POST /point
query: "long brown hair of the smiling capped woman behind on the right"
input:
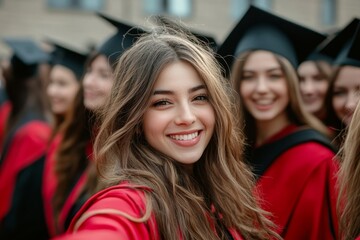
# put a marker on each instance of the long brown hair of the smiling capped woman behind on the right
(295, 110)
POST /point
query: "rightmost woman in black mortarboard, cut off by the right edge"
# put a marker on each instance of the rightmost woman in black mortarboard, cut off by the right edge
(344, 89)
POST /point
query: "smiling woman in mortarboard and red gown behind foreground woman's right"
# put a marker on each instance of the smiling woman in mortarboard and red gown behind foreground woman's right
(288, 148)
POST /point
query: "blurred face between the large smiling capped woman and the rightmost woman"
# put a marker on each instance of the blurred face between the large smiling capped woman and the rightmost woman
(313, 86)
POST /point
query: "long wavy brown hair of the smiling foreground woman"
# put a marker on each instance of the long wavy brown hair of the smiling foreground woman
(179, 201)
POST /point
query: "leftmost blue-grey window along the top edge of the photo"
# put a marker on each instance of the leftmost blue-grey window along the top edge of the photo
(87, 5)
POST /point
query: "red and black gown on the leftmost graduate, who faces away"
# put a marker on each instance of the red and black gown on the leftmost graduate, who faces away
(20, 180)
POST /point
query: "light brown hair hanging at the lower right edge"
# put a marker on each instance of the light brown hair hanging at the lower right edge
(349, 181)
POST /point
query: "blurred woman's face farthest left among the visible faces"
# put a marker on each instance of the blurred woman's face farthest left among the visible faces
(62, 89)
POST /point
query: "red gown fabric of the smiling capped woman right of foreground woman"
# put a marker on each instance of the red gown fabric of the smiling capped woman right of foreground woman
(299, 190)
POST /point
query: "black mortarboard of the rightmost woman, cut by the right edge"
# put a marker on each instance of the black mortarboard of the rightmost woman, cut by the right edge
(344, 47)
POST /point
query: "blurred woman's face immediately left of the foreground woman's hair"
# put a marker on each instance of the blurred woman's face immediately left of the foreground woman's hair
(97, 83)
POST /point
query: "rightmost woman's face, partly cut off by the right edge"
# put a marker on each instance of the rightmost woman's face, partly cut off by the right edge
(346, 93)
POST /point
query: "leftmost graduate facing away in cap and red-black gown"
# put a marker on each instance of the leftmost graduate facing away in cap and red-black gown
(24, 144)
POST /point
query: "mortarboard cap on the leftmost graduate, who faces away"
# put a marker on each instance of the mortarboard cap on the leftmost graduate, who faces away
(26, 57)
